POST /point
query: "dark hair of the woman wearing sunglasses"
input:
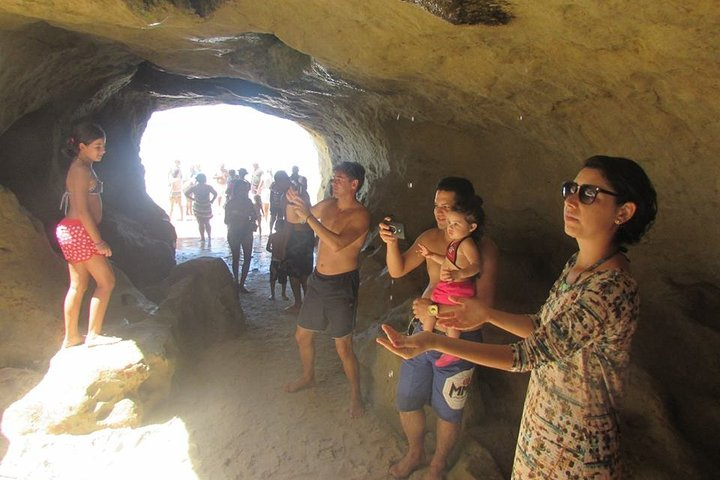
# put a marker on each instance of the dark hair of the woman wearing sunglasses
(630, 182)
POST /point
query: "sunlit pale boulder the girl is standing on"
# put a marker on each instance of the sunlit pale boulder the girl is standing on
(90, 388)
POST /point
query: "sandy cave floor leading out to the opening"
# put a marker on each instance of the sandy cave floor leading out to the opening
(241, 422)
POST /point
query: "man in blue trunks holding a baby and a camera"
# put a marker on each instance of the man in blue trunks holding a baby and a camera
(420, 381)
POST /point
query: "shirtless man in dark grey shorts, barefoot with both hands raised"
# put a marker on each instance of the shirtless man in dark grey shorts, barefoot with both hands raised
(341, 223)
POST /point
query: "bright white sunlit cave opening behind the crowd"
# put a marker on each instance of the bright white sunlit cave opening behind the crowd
(214, 140)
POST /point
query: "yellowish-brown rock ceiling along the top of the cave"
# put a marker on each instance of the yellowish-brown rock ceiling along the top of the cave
(433, 60)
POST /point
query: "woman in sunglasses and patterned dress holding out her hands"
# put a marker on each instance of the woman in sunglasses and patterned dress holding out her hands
(578, 345)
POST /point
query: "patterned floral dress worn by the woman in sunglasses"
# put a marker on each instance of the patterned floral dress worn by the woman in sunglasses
(578, 355)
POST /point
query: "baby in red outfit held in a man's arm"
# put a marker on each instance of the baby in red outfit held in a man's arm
(462, 261)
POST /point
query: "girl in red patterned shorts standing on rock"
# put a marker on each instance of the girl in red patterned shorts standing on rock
(79, 237)
